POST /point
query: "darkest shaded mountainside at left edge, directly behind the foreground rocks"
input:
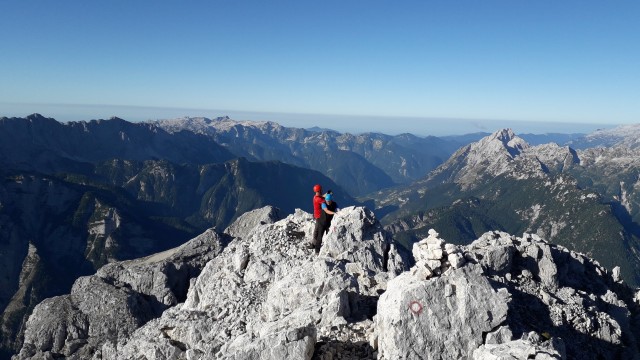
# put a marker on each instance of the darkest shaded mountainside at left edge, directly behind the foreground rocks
(53, 231)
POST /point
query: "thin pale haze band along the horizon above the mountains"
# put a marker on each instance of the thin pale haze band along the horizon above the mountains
(353, 124)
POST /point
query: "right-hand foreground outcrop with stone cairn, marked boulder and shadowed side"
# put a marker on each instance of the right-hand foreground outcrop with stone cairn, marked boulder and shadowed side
(504, 297)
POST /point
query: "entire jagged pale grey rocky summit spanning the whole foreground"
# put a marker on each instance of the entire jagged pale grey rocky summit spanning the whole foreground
(256, 292)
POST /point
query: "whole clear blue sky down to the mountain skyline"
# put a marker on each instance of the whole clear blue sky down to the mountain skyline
(390, 66)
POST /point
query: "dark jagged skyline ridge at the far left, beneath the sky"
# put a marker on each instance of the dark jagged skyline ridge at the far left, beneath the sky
(42, 144)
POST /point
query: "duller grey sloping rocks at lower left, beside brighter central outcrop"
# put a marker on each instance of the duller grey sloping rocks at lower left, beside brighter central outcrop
(116, 301)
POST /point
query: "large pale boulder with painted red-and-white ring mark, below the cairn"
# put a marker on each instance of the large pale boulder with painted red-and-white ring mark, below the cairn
(415, 320)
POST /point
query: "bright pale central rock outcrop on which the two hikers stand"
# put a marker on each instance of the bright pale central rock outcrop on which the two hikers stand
(267, 296)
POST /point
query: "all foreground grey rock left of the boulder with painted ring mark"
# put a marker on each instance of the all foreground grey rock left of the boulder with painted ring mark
(265, 296)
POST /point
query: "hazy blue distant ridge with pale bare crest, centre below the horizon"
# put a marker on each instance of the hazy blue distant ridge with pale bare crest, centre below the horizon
(359, 163)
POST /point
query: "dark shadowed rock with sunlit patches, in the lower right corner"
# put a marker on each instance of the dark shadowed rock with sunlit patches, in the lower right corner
(586, 308)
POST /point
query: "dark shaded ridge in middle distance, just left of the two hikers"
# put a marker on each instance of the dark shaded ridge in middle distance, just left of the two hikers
(216, 194)
